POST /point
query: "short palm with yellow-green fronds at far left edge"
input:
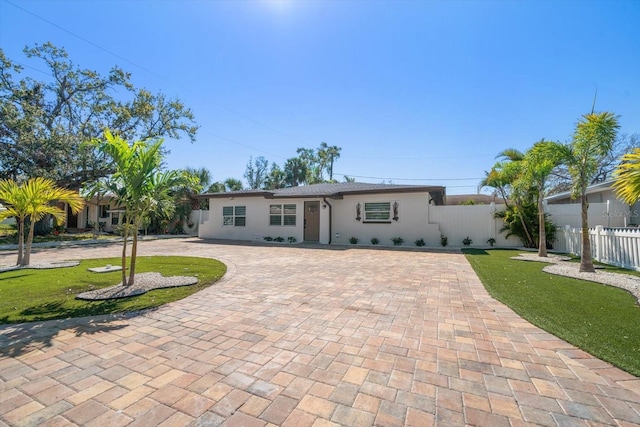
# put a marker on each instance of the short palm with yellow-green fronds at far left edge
(34, 200)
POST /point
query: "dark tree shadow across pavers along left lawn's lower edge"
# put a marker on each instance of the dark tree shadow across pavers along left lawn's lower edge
(20, 338)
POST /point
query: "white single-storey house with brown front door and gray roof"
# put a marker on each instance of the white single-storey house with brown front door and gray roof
(324, 213)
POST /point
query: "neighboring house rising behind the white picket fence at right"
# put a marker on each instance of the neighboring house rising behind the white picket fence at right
(604, 208)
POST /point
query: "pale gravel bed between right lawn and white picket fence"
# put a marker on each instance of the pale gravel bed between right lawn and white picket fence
(572, 269)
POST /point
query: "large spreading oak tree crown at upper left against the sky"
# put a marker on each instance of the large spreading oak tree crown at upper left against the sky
(43, 122)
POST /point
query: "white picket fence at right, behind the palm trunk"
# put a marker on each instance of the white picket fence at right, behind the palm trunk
(615, 246)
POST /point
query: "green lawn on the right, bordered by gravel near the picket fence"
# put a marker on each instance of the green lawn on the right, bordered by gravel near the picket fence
(602, 320)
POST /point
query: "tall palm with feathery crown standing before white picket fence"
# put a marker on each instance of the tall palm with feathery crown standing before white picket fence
(592, 140)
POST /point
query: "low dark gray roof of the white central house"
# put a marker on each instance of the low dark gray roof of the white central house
(334, 191)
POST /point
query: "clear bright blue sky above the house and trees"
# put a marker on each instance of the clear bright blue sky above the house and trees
(416, 92)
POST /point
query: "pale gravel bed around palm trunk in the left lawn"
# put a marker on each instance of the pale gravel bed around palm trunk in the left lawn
(143, 283)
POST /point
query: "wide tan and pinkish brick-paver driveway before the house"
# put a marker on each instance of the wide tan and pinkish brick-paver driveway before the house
(304, 336)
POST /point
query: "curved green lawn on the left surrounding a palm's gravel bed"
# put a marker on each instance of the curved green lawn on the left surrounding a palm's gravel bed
(29, 295)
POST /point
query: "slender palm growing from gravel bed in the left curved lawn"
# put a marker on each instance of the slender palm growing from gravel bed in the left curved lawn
(139, 186)
